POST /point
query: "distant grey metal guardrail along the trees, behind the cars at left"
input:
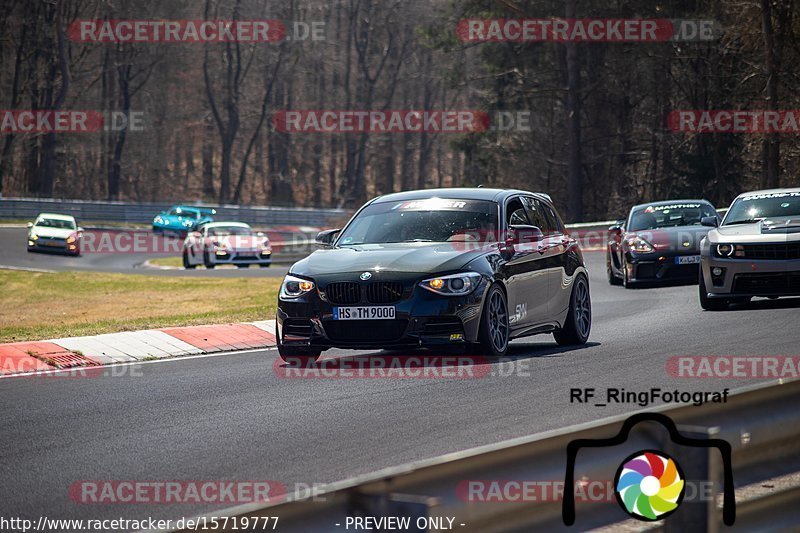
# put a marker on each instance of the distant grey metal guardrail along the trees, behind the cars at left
(143, 213)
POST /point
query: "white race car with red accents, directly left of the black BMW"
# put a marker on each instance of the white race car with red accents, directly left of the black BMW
(226, 243)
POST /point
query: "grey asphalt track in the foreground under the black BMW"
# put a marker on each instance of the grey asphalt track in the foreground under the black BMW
(232, 418)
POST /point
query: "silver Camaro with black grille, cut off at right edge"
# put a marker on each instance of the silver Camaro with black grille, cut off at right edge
(755, 251)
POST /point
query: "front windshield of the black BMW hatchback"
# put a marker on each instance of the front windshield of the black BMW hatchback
(427, 220)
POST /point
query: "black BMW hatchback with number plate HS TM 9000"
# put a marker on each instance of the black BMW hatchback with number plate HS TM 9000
(454, 269)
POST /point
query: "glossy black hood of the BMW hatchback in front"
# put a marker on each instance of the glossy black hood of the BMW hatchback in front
(394, 257)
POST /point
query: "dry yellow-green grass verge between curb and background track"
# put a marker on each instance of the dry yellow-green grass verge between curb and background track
(35, 306)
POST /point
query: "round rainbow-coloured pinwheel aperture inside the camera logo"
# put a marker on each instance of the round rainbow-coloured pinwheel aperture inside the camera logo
(649, 485)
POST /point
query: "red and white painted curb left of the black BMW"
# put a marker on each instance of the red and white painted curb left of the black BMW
(132, 346)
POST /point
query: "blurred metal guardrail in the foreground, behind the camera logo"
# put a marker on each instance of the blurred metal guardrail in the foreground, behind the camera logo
(761, 423)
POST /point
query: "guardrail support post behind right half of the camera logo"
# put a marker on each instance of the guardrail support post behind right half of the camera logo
(703, 466)
